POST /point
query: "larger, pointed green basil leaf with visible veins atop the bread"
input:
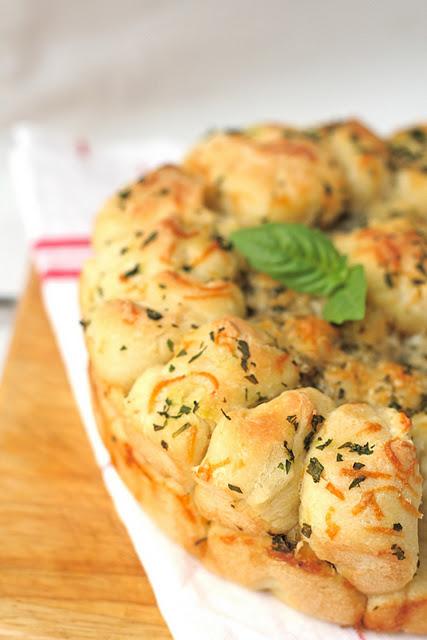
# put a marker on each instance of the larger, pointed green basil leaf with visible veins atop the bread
(303, 259)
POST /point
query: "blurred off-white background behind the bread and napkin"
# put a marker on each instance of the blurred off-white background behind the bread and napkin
(148, 68)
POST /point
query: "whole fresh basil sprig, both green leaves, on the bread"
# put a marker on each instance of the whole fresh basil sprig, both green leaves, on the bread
(305, 260)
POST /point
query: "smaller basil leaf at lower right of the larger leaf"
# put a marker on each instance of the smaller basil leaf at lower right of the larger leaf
(349, 301)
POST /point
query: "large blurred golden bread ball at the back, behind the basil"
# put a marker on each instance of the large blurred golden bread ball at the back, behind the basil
(282, 176)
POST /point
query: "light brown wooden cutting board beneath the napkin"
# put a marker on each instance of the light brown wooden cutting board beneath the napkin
(67, 567)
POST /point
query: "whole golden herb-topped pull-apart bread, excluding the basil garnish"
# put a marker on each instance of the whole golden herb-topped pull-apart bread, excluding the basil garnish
(286, 452)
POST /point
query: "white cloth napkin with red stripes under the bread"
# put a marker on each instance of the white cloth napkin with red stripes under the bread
(59, 185)
